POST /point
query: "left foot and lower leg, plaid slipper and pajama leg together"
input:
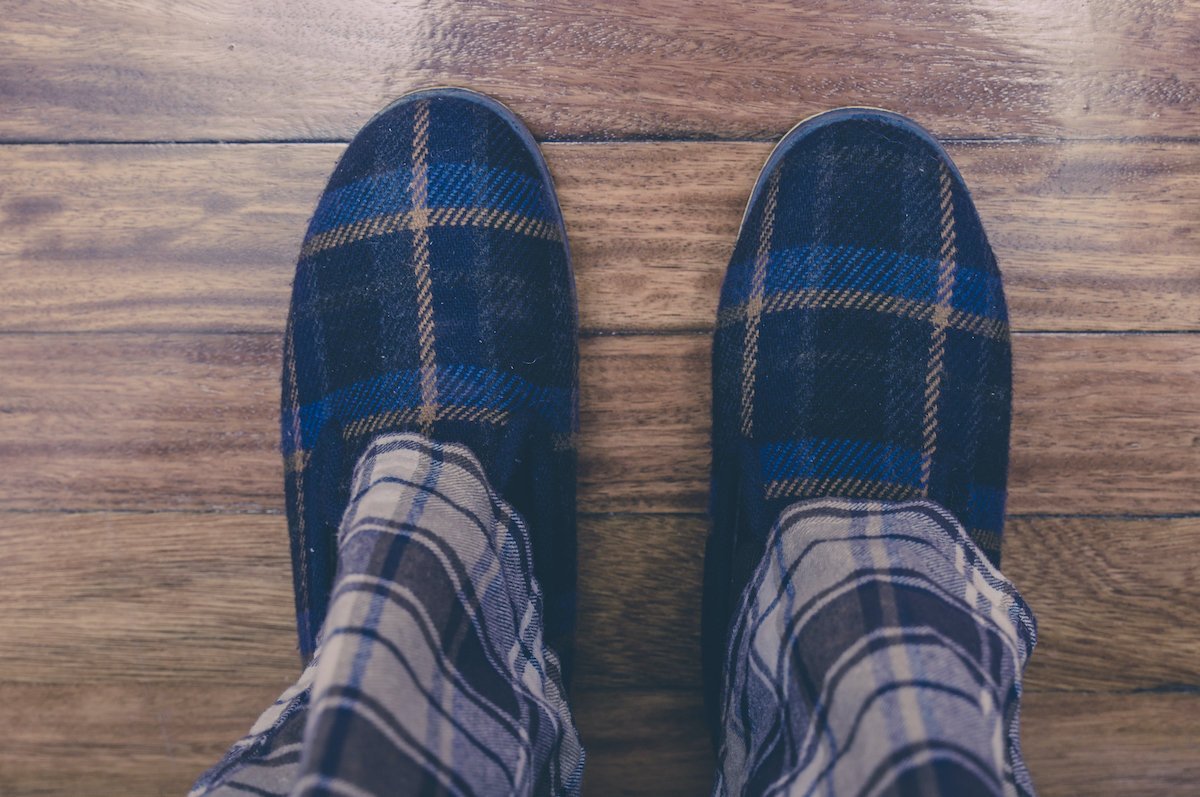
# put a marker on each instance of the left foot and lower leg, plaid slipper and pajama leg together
(434, 296)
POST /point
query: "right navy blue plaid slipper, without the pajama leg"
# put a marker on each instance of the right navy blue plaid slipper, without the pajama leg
(862, 347)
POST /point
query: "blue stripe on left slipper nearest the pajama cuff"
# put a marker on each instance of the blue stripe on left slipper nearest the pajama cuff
(460, 386)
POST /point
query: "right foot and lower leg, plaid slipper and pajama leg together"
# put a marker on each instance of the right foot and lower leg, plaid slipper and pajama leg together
(863, 355)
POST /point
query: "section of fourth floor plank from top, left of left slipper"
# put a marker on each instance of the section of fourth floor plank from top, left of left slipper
(101, 598)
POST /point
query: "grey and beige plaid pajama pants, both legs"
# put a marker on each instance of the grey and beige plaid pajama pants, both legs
(875, 652)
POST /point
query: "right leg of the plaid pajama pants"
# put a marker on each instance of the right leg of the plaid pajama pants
(877, 651)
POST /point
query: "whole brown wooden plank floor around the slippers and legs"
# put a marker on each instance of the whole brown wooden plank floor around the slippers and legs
(159, 163)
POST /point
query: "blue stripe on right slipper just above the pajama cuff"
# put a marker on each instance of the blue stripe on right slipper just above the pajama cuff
(839, 459)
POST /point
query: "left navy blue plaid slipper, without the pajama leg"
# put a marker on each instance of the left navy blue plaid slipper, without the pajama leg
(435, 295)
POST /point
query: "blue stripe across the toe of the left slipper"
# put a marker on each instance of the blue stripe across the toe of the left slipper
(451, 185)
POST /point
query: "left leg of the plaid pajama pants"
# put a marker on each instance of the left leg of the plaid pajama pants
(431, 674)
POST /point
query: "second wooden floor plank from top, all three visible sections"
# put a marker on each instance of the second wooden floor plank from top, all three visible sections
(205, 238)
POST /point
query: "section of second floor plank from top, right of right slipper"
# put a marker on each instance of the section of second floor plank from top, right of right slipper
(1089, 236)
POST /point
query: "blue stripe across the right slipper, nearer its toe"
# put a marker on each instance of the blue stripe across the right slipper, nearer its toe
(871, 271)
